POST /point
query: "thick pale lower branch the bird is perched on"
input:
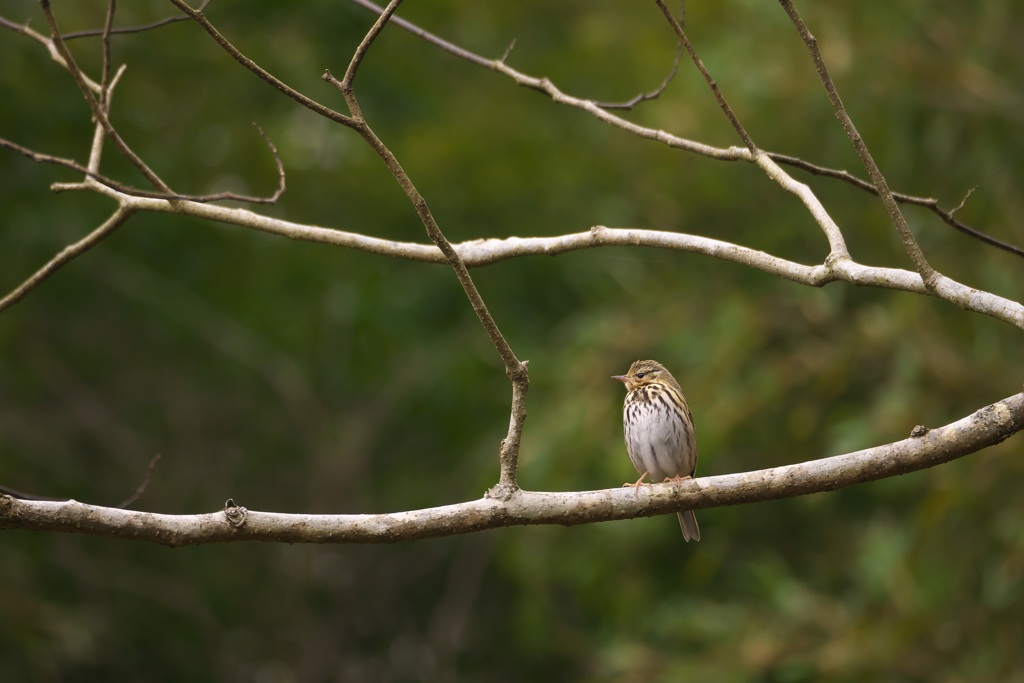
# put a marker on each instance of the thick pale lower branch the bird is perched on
(987, 428)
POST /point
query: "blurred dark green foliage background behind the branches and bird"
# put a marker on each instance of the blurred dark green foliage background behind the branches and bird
(306, 378)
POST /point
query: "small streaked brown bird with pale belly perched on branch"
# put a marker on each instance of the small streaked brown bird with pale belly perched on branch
(660, 435)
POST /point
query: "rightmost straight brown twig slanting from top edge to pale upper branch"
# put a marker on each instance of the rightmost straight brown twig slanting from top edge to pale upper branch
(910, 244)
